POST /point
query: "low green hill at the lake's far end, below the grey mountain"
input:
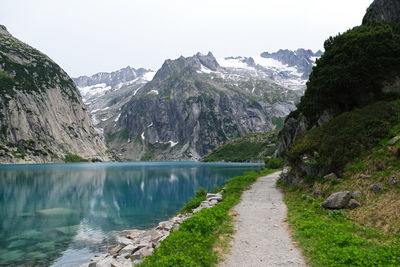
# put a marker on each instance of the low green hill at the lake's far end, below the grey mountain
(252, 147)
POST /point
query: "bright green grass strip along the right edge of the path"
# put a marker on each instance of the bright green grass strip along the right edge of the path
(330, 238)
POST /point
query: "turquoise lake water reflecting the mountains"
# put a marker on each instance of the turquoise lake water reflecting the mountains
(62, 214)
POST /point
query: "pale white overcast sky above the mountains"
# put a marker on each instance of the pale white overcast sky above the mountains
(89, 36)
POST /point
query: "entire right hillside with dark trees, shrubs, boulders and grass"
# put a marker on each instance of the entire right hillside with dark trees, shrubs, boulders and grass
(342, 151)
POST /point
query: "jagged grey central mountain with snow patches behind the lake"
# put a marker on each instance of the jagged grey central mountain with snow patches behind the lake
(194, 104)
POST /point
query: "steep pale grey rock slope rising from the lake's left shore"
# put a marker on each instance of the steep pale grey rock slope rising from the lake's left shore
(42, 116)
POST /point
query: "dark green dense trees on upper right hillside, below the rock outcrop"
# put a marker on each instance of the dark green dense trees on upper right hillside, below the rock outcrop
(352, 70)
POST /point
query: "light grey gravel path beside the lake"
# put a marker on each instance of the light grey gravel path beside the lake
(261, 237)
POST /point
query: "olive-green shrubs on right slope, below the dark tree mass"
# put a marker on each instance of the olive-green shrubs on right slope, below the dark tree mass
(346, 137)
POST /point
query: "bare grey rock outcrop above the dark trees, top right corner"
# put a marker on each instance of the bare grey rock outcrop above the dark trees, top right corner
(383, 10)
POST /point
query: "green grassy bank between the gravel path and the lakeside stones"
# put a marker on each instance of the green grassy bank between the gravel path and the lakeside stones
(193, 244)
